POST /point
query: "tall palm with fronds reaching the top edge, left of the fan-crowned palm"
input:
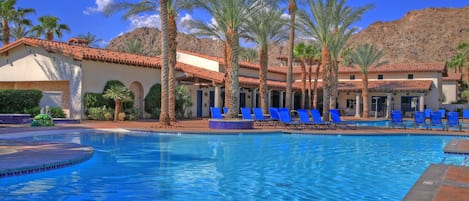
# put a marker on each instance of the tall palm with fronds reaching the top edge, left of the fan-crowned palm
(327, 24)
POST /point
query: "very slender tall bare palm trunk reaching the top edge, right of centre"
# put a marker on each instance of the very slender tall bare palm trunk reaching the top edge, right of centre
(288, 94)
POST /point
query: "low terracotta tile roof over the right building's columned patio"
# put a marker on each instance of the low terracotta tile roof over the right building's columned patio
(383, 86)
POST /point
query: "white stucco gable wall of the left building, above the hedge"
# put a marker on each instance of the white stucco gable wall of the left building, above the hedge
(26, 64)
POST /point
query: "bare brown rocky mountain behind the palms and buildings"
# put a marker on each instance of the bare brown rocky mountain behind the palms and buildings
(428, 35)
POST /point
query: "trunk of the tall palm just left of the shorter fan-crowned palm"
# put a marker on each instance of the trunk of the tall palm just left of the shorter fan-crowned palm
(325, 82)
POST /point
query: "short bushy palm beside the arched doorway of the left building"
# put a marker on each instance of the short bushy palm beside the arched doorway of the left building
(119, 94)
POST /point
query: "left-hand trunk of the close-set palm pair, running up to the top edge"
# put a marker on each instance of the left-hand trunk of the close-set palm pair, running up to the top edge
(164, 117)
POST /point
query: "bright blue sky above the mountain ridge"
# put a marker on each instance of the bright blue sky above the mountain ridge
(85, 15)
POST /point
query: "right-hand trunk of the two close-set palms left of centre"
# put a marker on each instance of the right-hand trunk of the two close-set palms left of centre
(172, 34)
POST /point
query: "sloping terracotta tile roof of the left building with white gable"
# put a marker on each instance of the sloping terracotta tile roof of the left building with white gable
(79, 52)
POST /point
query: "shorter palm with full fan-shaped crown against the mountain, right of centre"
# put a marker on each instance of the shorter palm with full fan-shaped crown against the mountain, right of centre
(364, 56)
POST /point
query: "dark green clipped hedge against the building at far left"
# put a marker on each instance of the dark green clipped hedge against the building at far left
(19, 101)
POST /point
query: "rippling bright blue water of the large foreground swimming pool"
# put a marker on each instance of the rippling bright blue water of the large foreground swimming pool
(234, 167)
